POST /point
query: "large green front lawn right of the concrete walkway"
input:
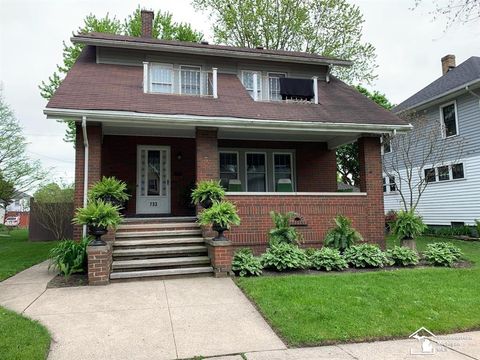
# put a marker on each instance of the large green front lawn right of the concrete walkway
(310, 310)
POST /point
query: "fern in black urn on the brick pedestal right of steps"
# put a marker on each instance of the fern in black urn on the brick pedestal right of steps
(221, 216)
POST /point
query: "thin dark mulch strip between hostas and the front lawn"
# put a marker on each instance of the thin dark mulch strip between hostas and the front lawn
(421, 265)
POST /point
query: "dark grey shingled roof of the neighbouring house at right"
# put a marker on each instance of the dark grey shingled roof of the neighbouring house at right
(465, 73)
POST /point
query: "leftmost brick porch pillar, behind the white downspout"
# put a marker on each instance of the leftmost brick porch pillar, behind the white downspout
(94, 134)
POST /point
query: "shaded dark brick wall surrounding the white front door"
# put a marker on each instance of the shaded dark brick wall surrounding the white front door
(119, 159)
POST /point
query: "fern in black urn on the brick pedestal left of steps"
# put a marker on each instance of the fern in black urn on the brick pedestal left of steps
(98, 216)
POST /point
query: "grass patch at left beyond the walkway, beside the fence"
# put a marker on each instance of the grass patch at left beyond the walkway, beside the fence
(17, 253)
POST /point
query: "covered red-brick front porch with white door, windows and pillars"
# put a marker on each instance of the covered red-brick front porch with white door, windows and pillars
(255, 166)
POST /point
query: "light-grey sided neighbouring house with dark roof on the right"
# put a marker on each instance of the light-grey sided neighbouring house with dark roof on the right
(451, 105)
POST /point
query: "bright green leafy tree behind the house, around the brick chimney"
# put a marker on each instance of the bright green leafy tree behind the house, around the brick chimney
(164, 27)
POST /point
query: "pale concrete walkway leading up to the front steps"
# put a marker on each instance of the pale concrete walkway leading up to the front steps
(157, 319)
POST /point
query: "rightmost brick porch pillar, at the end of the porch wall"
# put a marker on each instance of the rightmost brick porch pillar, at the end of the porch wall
(371, 182)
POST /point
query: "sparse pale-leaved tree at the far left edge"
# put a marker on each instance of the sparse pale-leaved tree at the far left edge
(17, 172)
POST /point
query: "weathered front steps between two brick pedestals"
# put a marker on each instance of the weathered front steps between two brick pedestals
(159, 248)
